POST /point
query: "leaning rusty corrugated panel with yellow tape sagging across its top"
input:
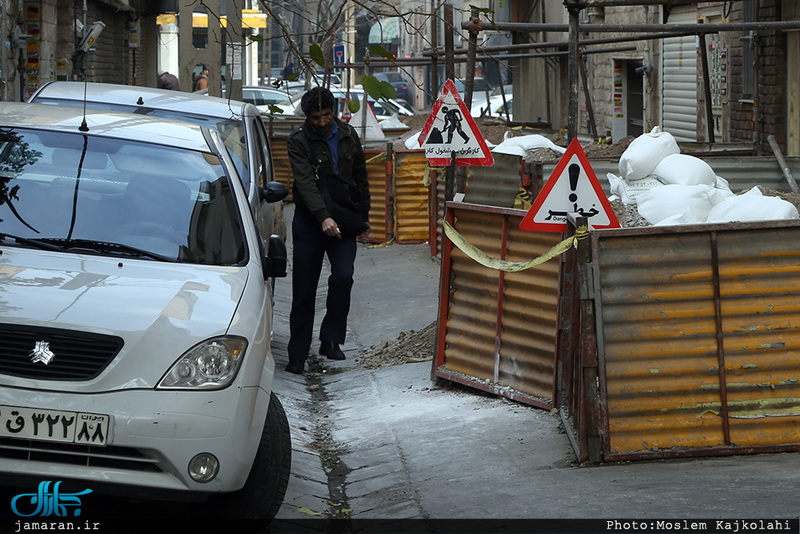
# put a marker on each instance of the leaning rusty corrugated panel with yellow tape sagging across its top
(500, 328)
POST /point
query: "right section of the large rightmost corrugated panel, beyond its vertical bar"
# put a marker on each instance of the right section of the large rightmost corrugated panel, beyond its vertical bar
(760, 304)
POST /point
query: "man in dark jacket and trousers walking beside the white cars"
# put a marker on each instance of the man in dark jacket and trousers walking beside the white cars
(323, 144)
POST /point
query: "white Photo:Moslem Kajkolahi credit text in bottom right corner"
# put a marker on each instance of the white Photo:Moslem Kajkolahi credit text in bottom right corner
(733, 526)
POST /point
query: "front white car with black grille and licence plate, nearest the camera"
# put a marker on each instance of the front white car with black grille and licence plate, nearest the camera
(136, 313)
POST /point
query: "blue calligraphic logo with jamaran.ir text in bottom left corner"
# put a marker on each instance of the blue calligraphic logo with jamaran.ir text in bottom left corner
(48, 508)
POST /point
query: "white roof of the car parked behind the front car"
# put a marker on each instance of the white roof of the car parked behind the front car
(132, 95)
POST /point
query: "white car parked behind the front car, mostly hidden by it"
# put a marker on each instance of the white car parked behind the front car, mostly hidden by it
(239, 123)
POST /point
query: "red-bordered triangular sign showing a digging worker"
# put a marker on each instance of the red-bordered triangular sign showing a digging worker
(452, 130)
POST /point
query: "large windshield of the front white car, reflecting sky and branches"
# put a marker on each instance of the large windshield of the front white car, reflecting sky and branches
(94, 195)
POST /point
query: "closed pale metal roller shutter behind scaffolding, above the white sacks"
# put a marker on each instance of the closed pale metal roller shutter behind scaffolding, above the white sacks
(679, 79)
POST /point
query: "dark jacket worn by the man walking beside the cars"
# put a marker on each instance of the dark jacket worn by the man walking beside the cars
(352, 166)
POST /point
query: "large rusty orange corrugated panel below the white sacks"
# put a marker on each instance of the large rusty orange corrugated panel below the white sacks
(700, 337)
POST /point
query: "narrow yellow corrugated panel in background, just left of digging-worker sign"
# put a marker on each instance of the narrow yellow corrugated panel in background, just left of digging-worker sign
(411, 197)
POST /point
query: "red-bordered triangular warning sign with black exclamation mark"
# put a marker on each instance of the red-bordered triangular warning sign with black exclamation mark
(572, 188)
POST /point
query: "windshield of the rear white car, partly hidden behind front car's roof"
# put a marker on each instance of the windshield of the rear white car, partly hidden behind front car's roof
(231, 130)
